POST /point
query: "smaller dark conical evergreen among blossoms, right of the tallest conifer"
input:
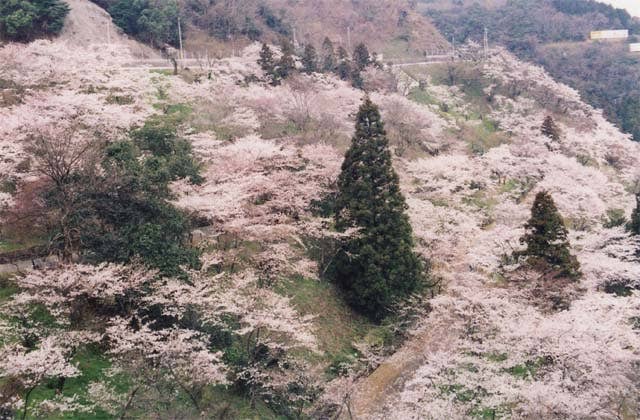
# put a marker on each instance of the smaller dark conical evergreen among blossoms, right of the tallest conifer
(546, 239)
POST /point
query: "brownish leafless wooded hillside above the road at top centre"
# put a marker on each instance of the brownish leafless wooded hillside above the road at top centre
(391, 27)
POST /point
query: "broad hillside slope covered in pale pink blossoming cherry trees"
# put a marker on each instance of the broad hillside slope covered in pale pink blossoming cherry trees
(470, 156)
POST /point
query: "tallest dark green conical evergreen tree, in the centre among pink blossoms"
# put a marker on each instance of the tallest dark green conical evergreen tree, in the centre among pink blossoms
(377, 267)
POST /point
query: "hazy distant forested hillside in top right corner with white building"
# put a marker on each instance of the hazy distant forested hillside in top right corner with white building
(554, 34)
